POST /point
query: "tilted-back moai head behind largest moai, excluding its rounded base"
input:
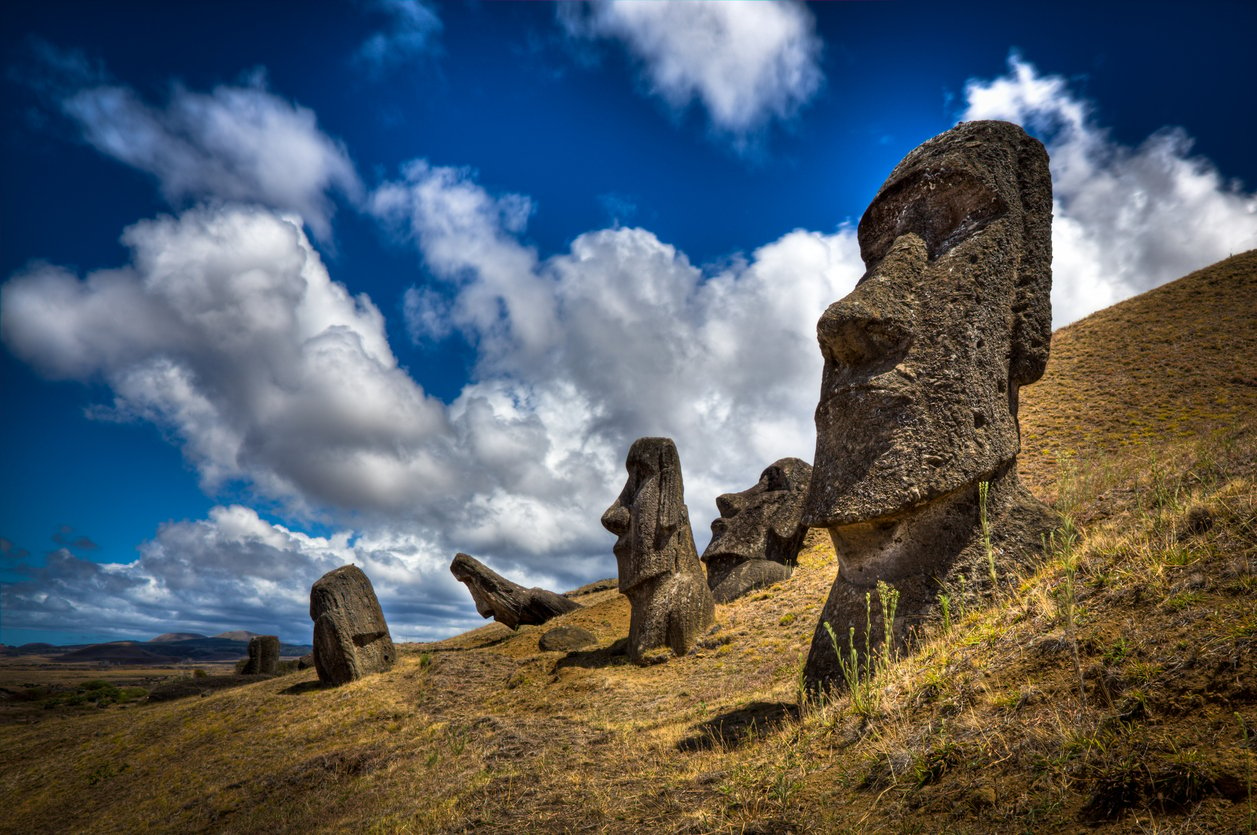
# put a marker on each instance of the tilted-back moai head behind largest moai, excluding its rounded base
(761, 523)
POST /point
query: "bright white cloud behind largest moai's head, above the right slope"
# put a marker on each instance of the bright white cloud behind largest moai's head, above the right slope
(1127, 219)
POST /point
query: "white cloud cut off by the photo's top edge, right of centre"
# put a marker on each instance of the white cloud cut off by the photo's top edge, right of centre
(746, 61)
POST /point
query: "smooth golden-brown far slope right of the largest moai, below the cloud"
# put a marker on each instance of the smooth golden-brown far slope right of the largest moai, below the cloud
(1171, 364)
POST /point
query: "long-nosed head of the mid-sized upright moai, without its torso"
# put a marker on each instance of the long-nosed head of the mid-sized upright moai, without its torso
(650, 520)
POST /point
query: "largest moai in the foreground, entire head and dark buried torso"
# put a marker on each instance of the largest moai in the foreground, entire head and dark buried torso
(923, 365)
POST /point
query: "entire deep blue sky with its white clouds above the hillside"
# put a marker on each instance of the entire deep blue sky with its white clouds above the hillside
(287, 286)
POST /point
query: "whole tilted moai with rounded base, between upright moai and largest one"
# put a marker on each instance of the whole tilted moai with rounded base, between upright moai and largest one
(757, 539)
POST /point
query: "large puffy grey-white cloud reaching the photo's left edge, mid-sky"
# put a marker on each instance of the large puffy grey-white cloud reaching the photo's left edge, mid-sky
(228, 331)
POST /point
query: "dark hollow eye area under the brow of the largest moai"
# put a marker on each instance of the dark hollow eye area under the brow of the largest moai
(945, 208)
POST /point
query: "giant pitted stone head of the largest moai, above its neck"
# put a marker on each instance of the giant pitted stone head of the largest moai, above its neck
(925, 359)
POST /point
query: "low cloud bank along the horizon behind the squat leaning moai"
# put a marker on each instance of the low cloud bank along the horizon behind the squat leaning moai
(234, 570)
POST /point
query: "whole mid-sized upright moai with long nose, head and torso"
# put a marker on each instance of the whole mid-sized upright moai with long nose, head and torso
(659, 567)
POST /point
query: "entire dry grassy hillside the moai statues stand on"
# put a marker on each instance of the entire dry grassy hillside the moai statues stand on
(1114, 687)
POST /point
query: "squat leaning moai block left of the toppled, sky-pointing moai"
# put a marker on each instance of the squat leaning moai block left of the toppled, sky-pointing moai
(351, 637)
